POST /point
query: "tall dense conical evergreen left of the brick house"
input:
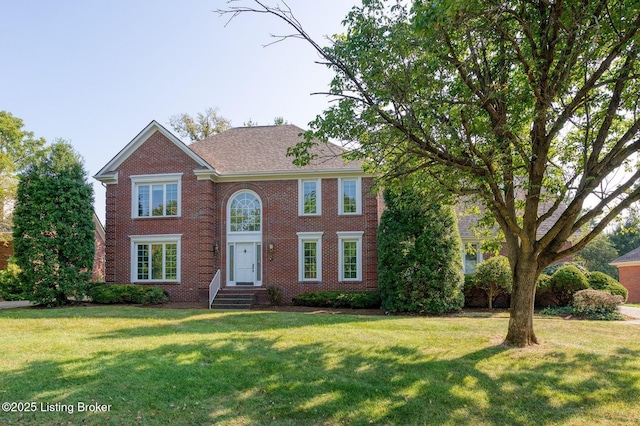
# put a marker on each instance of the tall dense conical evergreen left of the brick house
(53, 228)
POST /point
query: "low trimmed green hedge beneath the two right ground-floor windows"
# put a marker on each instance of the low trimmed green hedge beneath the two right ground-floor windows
(339, 299)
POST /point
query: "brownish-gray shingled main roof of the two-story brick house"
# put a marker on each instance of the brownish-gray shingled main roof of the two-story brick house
(264, 149)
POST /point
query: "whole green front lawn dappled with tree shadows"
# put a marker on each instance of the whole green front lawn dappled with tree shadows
(191, 367)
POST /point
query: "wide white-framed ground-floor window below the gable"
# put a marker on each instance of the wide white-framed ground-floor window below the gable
(155, 258)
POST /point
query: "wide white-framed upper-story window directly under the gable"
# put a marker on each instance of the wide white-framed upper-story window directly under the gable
(156, 195)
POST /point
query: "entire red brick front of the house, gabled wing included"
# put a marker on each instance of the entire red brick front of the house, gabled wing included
(203, 225)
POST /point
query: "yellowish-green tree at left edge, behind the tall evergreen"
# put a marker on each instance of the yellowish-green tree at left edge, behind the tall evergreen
(18, 148)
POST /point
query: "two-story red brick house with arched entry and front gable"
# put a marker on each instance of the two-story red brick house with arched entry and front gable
(234, 202)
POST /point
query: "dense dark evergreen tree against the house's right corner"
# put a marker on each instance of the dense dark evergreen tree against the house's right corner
(419, 256)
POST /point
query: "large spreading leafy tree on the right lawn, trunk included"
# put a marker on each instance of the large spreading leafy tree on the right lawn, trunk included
(526, 108)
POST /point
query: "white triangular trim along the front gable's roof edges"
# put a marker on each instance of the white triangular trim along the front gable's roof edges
(106, 174)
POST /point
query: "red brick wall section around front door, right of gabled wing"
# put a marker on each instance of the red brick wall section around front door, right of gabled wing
(281, 224)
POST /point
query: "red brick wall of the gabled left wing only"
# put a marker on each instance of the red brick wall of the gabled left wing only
(159, 155)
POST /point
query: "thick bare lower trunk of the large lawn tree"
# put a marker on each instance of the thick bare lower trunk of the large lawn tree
(522, 300)
